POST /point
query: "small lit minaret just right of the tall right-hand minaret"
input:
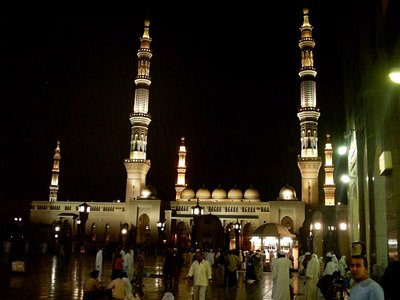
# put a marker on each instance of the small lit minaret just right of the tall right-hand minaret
(329, 185)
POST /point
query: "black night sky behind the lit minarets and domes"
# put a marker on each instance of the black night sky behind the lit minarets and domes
(226, 78)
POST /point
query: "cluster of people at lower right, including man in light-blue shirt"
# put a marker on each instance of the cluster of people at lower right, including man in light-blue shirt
(330, 278)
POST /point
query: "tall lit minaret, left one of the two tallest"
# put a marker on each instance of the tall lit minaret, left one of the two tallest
(137, 165)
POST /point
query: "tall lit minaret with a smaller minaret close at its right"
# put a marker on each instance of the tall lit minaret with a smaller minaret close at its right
(309, 163)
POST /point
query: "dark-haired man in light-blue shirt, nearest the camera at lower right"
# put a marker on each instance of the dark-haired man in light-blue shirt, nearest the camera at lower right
(364, 287)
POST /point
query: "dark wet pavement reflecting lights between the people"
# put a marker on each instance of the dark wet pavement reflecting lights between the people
(50, 277)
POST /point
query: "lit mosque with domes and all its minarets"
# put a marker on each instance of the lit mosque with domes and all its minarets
(226, 219)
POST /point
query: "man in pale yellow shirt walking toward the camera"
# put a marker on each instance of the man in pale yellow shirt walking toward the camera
(200, 271)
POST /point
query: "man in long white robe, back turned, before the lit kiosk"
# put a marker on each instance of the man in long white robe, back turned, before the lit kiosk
(280, 271)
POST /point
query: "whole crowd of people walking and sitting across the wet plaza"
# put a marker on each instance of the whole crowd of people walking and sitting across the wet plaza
(318, 277)
